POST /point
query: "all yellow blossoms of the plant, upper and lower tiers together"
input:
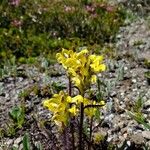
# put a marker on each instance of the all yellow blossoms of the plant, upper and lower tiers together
(82, 69)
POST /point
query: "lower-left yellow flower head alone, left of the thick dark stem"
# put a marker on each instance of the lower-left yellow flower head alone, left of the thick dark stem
(59, 105)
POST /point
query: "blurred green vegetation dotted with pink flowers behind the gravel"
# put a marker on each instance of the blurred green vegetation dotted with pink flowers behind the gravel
(42, 27)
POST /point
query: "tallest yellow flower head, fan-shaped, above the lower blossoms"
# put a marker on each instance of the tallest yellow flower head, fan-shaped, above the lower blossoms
(81, 66)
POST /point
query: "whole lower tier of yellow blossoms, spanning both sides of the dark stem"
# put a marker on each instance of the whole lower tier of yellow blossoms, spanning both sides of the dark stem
(60, 104)
